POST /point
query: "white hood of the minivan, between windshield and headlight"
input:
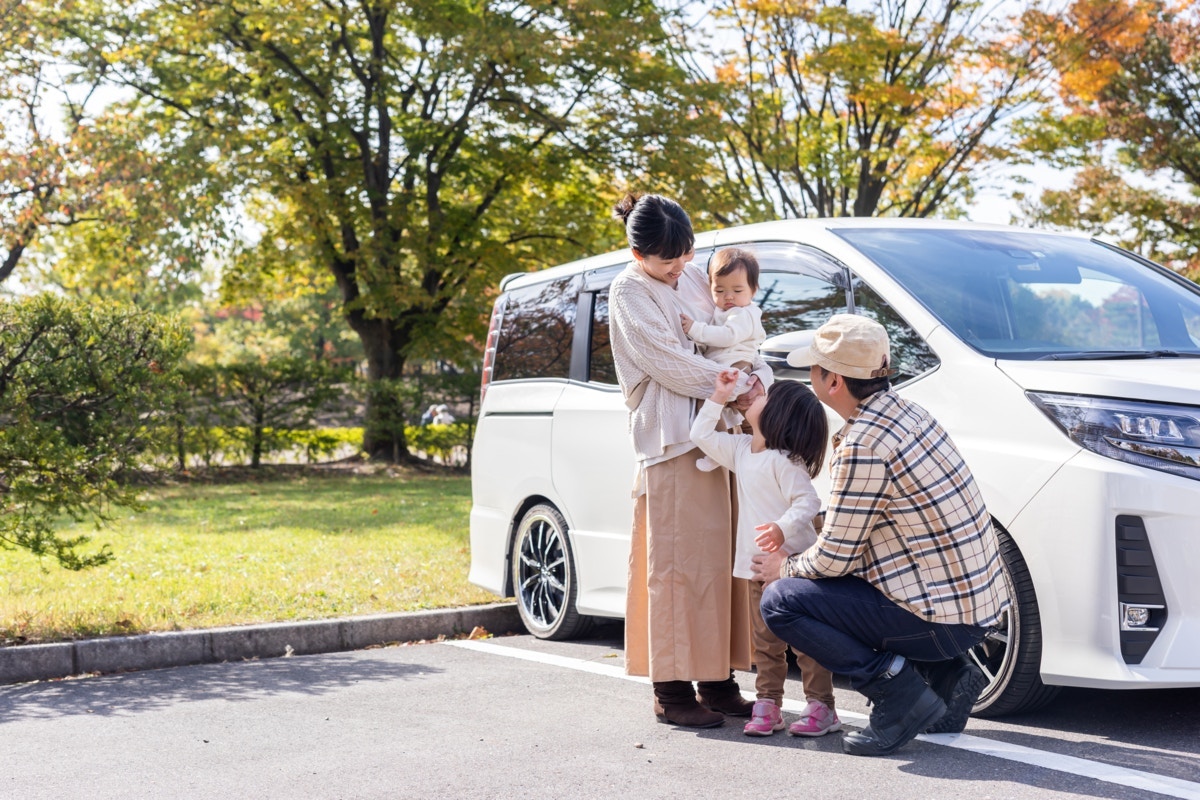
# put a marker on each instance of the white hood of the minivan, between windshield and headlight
(1167, 381)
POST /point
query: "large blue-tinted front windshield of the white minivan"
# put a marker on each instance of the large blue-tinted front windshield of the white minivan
(1029, 296)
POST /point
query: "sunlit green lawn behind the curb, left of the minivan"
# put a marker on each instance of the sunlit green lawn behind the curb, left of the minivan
(209, 556)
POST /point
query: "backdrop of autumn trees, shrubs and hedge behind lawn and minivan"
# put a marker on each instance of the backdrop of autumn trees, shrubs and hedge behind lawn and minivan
(309, 207)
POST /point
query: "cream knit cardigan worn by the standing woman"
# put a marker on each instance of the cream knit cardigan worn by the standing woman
(659, 370)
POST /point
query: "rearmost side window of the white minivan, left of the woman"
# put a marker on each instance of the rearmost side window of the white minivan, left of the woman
(536, 332)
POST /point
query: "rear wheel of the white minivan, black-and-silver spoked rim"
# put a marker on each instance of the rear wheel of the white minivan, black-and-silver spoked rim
(544, 579)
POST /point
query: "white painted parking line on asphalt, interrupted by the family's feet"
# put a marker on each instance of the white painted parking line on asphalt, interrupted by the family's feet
(1082, 767)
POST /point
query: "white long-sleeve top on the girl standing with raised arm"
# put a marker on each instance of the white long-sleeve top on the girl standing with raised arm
(771, 489)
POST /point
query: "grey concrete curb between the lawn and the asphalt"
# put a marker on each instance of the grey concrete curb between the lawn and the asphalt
(31, 663)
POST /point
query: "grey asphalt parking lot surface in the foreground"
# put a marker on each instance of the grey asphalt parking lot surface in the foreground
(518, 718)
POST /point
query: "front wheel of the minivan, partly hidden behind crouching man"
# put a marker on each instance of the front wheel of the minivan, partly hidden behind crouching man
(1012, 657)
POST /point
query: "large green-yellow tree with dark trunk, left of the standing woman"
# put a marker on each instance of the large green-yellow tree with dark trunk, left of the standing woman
(419, 151)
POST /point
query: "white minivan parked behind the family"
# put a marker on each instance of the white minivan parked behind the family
(1066, 370)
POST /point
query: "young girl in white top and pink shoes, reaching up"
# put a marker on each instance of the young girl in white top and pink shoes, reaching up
(775, 467)
